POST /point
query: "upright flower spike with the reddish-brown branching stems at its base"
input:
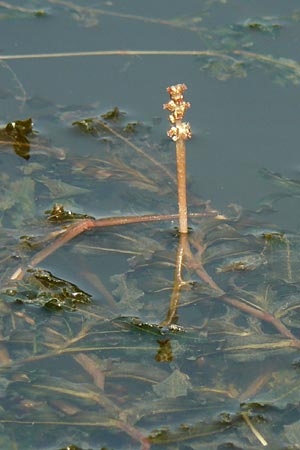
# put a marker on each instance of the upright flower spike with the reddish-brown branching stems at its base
(179, 132)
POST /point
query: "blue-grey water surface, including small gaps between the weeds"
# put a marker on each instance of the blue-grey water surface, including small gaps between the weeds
(240, 125)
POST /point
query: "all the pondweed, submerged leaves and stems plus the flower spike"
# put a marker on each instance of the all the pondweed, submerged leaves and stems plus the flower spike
(176, 328)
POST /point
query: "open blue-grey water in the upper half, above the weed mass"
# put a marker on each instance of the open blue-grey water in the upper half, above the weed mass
(239, 125)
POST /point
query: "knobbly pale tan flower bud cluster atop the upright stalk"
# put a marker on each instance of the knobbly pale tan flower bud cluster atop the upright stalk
(177, 106)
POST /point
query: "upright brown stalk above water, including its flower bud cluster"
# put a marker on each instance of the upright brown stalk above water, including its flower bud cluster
(179, 132)
